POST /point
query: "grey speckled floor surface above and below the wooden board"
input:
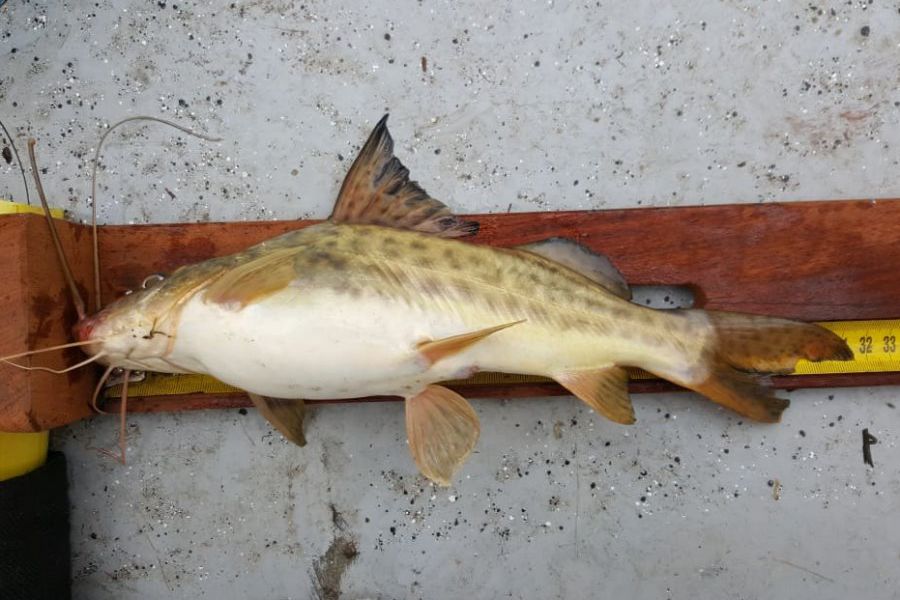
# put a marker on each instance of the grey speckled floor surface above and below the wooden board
(495, 107)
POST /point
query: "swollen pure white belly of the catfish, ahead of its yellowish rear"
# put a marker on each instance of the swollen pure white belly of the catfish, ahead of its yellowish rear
(314, 345)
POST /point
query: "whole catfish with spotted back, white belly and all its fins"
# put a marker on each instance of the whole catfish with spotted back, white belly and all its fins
(382, 299)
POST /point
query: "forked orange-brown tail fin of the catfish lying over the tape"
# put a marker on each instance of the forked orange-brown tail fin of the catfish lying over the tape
(747, 346)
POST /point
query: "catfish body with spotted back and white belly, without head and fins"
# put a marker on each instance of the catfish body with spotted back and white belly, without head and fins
(362, 298)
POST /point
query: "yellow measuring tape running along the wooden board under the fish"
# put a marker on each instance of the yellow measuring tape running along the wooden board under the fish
(874, 344)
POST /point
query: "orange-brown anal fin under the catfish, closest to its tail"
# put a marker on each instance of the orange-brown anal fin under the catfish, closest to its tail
(605, 390)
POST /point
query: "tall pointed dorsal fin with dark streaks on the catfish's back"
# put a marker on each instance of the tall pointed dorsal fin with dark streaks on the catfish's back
(378, 191)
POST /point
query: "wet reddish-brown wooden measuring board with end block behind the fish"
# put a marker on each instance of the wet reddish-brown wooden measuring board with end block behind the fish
(822, 260)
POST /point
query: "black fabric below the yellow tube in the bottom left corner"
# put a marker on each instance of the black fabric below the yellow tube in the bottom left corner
(34, 534)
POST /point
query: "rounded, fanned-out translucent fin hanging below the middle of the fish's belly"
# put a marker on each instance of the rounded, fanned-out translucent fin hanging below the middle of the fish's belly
(442, 428)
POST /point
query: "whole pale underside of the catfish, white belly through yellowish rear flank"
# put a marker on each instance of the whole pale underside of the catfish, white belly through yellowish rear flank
(320, 345)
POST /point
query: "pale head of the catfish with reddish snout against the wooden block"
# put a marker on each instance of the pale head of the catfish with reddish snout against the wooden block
(136, 331)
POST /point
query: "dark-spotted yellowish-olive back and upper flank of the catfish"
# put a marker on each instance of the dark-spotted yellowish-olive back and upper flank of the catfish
(429, 272)
